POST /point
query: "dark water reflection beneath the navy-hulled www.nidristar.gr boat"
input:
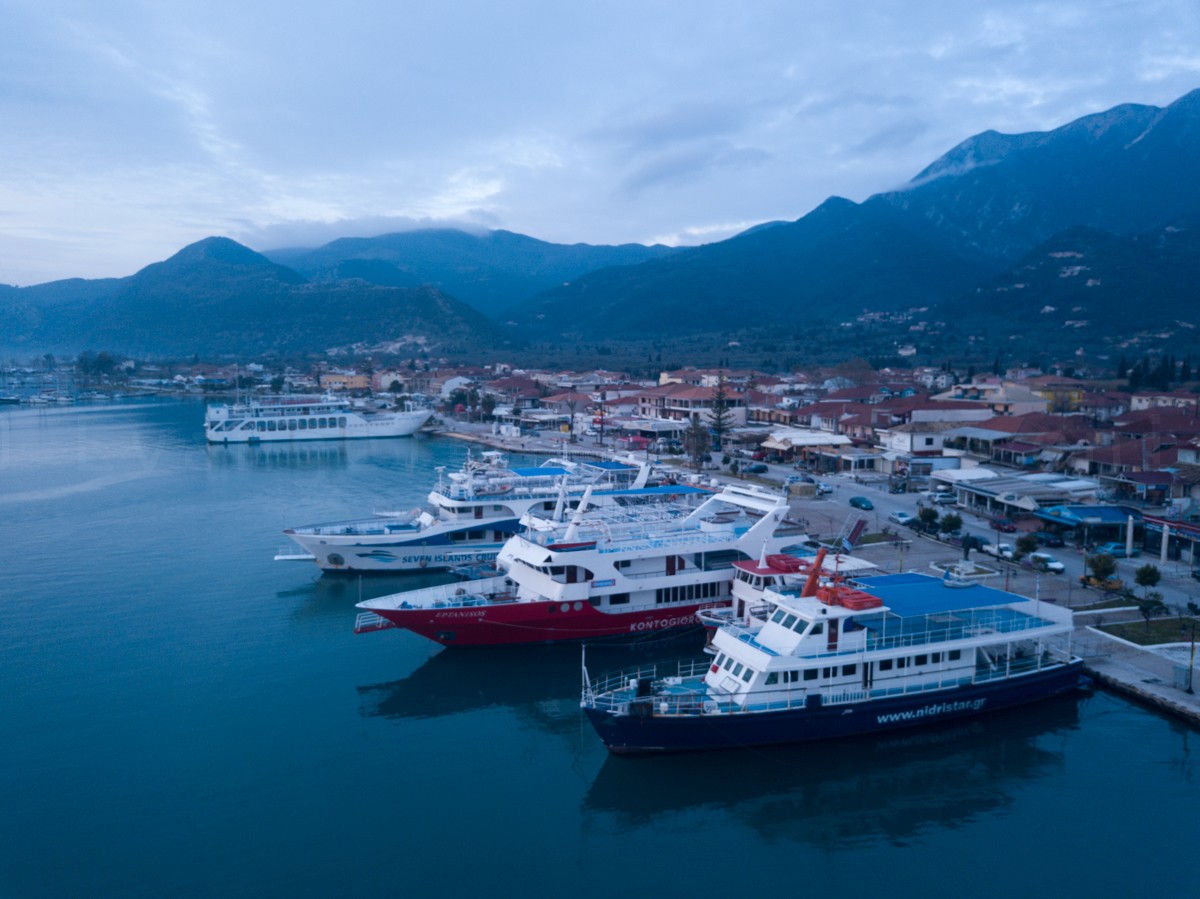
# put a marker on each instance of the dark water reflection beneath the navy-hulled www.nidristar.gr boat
(842, 794)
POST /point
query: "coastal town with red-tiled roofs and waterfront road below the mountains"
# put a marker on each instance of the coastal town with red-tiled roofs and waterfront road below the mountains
(1083, 492)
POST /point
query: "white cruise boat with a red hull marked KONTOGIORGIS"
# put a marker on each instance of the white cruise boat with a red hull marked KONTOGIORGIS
(634, 566)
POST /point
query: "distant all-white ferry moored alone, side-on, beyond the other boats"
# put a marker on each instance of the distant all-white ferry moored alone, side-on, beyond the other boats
(296, 417)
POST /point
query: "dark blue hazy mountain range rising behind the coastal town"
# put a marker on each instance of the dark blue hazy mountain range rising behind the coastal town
(1079, 238)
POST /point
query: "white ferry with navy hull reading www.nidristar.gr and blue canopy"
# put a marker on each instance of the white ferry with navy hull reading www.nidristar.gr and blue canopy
(825, 661)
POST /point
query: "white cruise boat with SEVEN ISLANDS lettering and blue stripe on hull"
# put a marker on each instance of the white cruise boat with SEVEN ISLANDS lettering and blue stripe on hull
(470, 516)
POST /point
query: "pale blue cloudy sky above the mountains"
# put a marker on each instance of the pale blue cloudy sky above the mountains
(134, 128)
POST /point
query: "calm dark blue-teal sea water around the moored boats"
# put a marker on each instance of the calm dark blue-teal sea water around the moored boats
(182, 716)
